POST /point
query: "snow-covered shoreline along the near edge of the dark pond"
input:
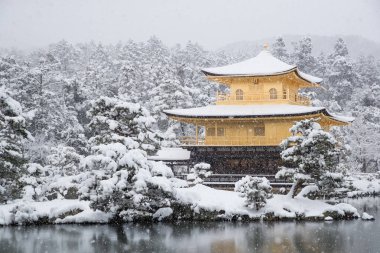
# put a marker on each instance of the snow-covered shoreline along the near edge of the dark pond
(197, 203)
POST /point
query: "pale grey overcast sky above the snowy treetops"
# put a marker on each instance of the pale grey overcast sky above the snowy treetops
(28, 24)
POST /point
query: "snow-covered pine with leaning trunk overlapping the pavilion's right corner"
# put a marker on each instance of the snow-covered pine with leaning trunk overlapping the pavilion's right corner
(308, 154)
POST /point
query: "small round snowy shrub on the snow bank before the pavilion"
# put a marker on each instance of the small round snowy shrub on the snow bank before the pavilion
(255, 191)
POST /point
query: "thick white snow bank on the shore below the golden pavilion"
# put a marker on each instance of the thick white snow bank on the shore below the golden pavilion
(282, 206)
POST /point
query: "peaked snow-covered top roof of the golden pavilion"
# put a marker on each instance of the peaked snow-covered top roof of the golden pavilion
(264, 64)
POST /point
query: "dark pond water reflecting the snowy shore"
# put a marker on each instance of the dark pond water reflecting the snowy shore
(337, 236)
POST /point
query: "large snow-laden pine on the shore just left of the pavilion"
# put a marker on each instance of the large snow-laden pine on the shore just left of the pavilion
(125, 182)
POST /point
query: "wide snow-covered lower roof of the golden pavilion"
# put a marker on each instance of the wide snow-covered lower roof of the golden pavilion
(251, 111)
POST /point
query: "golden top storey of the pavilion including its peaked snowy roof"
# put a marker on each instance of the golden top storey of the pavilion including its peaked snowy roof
(263, 79)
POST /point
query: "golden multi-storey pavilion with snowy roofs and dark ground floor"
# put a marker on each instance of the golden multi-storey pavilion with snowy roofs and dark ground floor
(241, 133)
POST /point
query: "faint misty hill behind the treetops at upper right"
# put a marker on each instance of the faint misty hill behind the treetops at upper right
(356, 45)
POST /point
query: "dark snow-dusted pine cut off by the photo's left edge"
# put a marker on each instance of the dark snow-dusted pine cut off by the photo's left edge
(12, 135)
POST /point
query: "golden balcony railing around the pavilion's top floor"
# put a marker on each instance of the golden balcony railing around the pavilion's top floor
(226, 99)
